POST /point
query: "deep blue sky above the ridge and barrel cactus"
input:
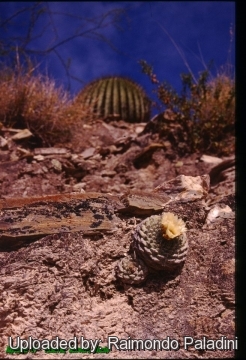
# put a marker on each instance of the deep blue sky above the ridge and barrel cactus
(201, 30)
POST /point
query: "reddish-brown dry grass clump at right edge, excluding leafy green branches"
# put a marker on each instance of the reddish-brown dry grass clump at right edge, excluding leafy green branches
(216, 115)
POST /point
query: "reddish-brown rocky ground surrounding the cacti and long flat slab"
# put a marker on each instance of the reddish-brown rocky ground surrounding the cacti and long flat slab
(65, 285)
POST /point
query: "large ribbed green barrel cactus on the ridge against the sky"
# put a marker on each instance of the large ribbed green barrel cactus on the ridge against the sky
(116, 98)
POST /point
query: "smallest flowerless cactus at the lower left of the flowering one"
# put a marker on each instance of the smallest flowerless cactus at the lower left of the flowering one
(131, 270)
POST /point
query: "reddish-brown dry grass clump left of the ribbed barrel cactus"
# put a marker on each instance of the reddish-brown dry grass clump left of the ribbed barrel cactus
(34, 102)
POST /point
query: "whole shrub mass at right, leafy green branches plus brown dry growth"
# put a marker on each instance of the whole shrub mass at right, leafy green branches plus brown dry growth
(203, 114)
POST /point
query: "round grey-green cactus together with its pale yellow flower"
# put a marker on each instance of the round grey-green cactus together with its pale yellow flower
(160, 240)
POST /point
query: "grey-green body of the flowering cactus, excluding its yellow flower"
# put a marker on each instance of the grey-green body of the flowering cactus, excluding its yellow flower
(156, 251)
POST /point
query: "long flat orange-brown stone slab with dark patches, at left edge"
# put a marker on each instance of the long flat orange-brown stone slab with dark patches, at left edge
(40, 216)
